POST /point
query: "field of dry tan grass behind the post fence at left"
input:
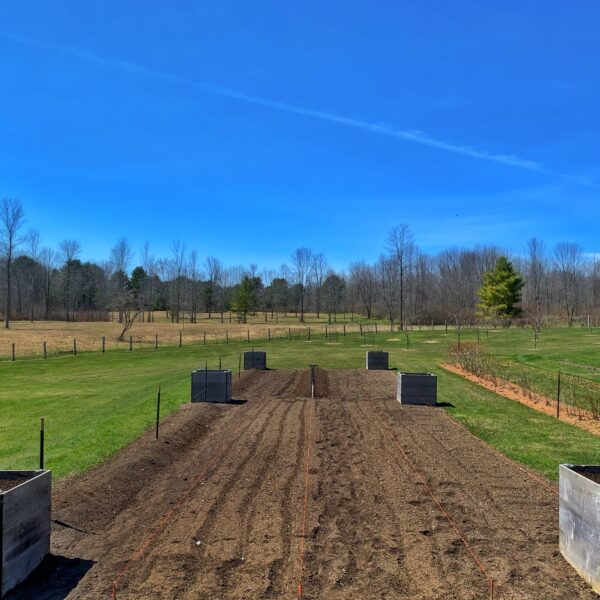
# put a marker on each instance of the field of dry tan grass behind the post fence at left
(29, 337)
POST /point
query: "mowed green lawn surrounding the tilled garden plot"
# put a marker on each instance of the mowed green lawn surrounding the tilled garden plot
(96, 403)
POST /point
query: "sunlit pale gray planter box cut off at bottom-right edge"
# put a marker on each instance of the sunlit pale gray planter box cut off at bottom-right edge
(579, 520)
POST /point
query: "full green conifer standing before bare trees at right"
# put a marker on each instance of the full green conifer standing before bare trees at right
(500, 293)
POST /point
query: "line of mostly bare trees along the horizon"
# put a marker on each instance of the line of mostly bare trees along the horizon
(405, 285)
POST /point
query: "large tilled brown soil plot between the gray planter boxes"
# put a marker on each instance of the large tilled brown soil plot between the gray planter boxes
(285, 496)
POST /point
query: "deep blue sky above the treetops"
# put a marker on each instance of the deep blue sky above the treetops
(248, 129)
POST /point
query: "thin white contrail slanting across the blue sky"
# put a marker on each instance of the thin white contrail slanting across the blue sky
(408, 135)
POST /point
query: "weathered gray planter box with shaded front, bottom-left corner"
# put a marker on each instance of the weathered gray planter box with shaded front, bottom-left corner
(25, 503)
